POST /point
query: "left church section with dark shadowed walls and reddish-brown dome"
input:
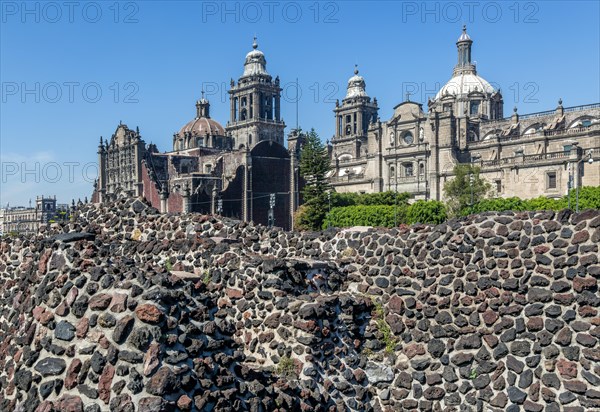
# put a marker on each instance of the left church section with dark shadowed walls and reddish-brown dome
(242, 170)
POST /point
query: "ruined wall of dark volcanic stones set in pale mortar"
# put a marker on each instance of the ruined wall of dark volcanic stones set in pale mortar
(189, 312)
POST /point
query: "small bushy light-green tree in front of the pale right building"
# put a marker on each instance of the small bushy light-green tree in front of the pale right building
(465, 189)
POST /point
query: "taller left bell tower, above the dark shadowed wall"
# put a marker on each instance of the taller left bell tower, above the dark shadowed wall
(255, 112)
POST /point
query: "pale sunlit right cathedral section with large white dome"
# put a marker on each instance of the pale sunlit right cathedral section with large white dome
(538, 154)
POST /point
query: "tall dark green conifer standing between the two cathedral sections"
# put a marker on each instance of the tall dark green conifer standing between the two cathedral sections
(314, 165)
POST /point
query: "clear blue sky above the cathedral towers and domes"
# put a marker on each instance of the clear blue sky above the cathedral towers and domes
(70, 72)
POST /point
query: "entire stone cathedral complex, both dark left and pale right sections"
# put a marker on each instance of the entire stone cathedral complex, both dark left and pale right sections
(243, 170)
